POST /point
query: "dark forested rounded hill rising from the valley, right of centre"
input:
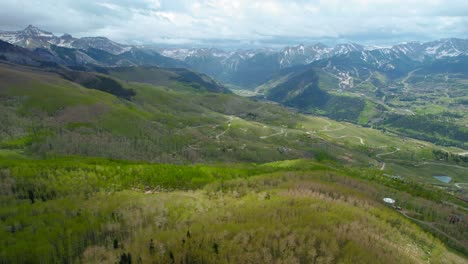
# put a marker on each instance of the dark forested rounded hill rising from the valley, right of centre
(312, 91)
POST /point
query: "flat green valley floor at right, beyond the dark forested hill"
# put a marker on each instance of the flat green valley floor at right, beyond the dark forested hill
(420, 93)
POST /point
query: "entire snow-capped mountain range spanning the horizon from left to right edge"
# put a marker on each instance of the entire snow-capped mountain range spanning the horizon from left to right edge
(242, 68)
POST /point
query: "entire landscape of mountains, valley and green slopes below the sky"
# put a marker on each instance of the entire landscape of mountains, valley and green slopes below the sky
(114, 153)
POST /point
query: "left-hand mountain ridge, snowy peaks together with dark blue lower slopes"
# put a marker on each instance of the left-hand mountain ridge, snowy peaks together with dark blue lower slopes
(86, 51)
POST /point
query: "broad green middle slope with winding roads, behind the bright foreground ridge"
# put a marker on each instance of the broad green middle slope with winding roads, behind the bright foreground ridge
(167, 124)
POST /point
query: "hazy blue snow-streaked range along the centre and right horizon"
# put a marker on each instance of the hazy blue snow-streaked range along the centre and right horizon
(253, 67)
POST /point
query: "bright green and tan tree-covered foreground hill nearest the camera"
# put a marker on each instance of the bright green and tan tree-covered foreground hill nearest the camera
(101, 211)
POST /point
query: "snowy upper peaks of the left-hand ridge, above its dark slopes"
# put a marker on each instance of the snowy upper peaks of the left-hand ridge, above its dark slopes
(33, 37)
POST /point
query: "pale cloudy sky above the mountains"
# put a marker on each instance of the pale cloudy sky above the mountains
(243, 22)
